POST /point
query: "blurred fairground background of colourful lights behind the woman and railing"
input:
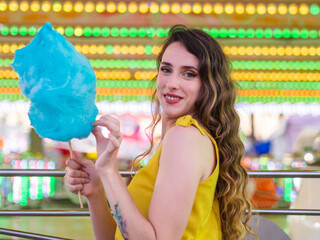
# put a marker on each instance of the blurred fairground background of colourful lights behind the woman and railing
(274, 49)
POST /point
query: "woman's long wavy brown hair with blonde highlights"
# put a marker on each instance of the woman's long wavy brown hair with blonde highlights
(215, 111)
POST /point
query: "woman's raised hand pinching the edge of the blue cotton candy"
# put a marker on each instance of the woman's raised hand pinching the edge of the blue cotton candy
(107, 148)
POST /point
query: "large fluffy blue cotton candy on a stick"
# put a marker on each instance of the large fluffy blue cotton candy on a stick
(61, 85)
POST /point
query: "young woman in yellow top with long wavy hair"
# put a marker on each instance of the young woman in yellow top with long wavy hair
(194, 186)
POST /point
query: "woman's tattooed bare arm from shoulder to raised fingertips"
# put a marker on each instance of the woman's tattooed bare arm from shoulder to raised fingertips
(179, 174)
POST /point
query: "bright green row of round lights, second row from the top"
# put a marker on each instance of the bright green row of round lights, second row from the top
(160, 32)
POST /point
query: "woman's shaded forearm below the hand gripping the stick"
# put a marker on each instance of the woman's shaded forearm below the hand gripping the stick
(102, 220)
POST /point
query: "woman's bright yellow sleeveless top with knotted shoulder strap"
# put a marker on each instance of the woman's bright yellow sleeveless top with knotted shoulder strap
(204, 222)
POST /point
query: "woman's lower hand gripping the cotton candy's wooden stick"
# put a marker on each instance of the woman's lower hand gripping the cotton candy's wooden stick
(82, 176)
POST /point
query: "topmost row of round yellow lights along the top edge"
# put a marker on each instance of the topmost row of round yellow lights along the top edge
(155, 7)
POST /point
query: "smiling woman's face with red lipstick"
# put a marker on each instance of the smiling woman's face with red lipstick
(178, 81)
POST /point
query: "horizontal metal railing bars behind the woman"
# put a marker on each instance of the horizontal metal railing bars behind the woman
(61, 173)
